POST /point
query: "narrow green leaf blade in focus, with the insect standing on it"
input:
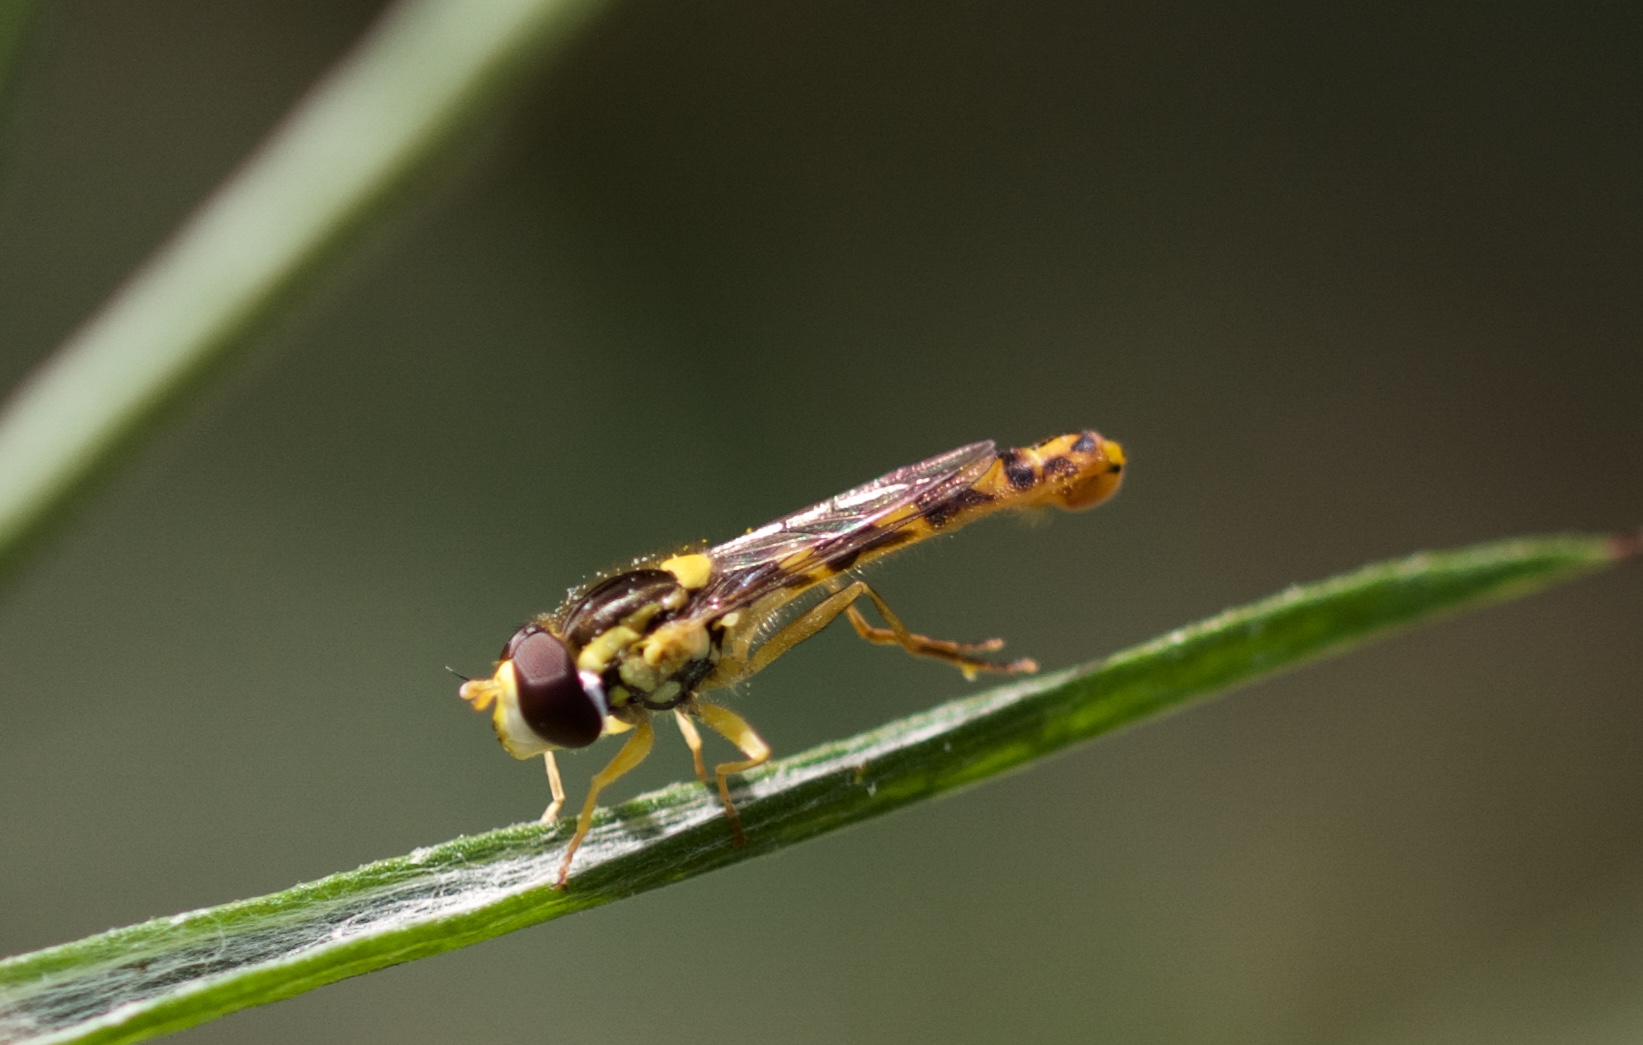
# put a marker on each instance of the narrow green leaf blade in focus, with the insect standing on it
(172, 974)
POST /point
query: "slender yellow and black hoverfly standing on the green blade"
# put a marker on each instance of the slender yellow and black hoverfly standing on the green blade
(670, 628)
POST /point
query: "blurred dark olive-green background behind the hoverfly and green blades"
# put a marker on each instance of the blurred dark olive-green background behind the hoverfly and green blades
(1346, 282)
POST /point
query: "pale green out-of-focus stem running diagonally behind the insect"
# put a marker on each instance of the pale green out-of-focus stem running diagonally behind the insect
(361, 137)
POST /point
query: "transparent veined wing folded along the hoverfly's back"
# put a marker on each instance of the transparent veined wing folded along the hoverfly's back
(808, 546)
